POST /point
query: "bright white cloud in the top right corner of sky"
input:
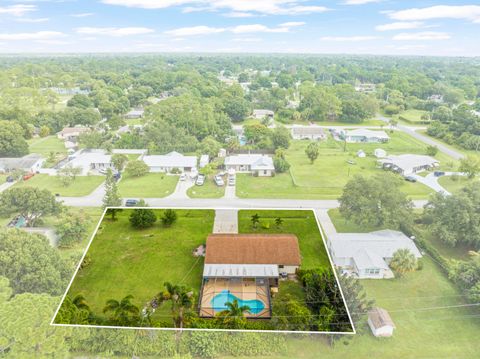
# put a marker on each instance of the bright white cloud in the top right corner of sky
(465, 12)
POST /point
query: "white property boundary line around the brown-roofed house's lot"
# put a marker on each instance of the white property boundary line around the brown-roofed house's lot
(202, 329)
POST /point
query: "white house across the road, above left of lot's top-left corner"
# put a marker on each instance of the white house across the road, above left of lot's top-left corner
(89, 160)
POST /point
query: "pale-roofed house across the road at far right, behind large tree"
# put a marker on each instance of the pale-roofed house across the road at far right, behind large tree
(409, 164)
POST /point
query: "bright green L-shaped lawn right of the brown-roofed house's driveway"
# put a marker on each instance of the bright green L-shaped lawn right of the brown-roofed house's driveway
(301, 223)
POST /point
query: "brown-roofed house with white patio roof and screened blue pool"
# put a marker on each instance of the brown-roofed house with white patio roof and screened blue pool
(246, 267)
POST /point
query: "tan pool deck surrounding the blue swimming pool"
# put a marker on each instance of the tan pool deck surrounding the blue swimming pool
(246, 289)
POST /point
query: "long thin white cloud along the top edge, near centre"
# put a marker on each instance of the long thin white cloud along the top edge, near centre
(270, 7)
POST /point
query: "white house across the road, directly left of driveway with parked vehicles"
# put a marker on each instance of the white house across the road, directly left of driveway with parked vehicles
(172, 161)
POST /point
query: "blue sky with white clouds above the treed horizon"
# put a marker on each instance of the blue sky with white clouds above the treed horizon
(379, 27)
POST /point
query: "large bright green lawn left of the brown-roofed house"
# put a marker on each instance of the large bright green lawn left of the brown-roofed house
(129, 261)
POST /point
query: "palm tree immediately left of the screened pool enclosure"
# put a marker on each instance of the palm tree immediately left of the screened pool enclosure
(181, 299)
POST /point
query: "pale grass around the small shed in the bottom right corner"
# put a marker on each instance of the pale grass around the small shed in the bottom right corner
(420, 332)
